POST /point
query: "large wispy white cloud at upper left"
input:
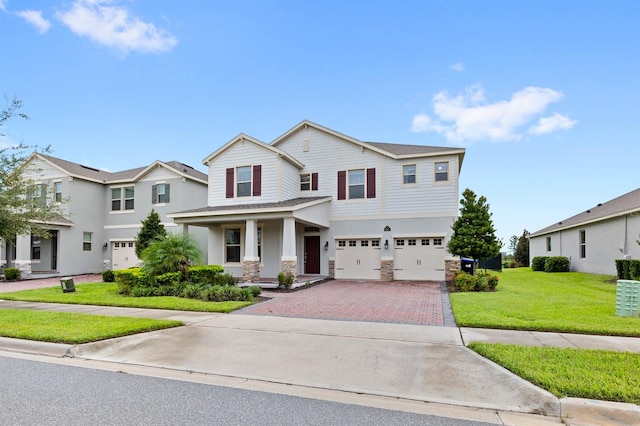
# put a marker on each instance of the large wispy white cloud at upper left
(114, 26)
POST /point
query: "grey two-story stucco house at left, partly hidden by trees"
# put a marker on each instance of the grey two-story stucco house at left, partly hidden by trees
(102, 214)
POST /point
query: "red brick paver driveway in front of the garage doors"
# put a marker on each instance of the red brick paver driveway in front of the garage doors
(400, 302)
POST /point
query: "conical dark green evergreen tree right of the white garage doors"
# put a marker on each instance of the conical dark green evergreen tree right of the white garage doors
(473, 233)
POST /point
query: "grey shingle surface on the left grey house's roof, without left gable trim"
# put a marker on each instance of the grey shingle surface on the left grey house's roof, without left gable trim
(105, 176)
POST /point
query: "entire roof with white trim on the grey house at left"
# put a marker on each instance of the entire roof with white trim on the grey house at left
(102, 176)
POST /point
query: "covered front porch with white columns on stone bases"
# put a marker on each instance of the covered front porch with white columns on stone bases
(256, 242)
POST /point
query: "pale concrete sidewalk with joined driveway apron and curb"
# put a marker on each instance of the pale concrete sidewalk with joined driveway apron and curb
(412, 362)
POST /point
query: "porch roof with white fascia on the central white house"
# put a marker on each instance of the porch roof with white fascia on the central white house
(310, 210)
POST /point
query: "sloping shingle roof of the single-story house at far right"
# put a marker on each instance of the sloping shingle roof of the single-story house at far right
(620, 206)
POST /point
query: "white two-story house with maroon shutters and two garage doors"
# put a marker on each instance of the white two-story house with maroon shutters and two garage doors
(318, 202)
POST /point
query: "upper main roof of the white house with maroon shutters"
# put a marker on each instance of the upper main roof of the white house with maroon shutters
(395, 151)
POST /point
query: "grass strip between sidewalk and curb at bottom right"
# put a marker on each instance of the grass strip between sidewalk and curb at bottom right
(565, 372)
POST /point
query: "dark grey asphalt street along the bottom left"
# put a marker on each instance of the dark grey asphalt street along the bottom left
(36, 393)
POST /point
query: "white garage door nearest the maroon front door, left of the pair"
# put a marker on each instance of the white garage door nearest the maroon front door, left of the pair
(358, 259)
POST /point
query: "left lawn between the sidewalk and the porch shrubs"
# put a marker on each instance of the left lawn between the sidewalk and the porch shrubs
(106, 294)
